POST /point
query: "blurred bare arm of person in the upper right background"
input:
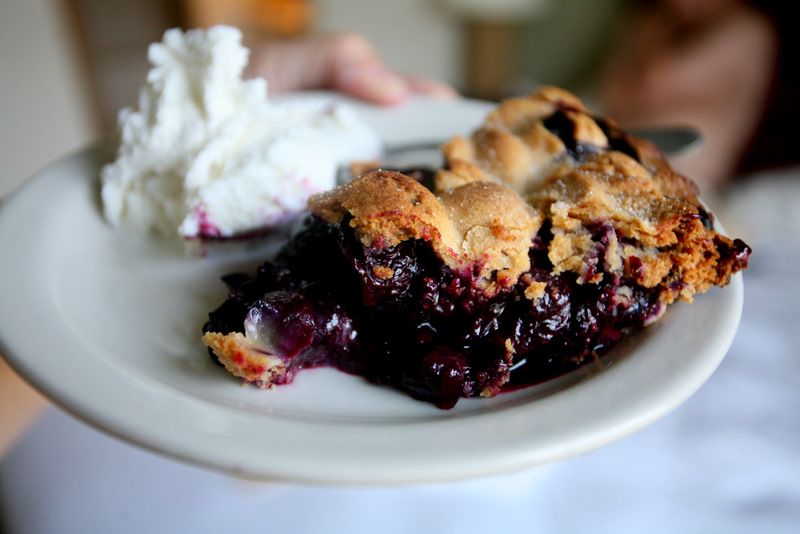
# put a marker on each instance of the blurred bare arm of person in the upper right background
(706, 63)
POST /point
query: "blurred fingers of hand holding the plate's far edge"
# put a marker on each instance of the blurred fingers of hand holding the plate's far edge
(344, 62)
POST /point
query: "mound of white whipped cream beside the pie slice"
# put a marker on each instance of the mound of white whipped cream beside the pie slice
(207, 155)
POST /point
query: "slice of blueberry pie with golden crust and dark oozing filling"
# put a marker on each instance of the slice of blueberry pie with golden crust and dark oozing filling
(547, 236)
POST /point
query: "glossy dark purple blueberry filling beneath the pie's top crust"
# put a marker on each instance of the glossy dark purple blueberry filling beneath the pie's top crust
(399, 317)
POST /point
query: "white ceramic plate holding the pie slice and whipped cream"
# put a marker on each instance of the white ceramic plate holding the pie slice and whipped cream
(107, 325)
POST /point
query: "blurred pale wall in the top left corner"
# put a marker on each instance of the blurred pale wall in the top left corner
(43, 109)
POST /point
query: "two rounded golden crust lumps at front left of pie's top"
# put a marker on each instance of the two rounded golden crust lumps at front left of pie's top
(463, 224)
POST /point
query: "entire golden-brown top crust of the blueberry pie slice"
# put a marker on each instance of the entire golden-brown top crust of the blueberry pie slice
(544, 159)
